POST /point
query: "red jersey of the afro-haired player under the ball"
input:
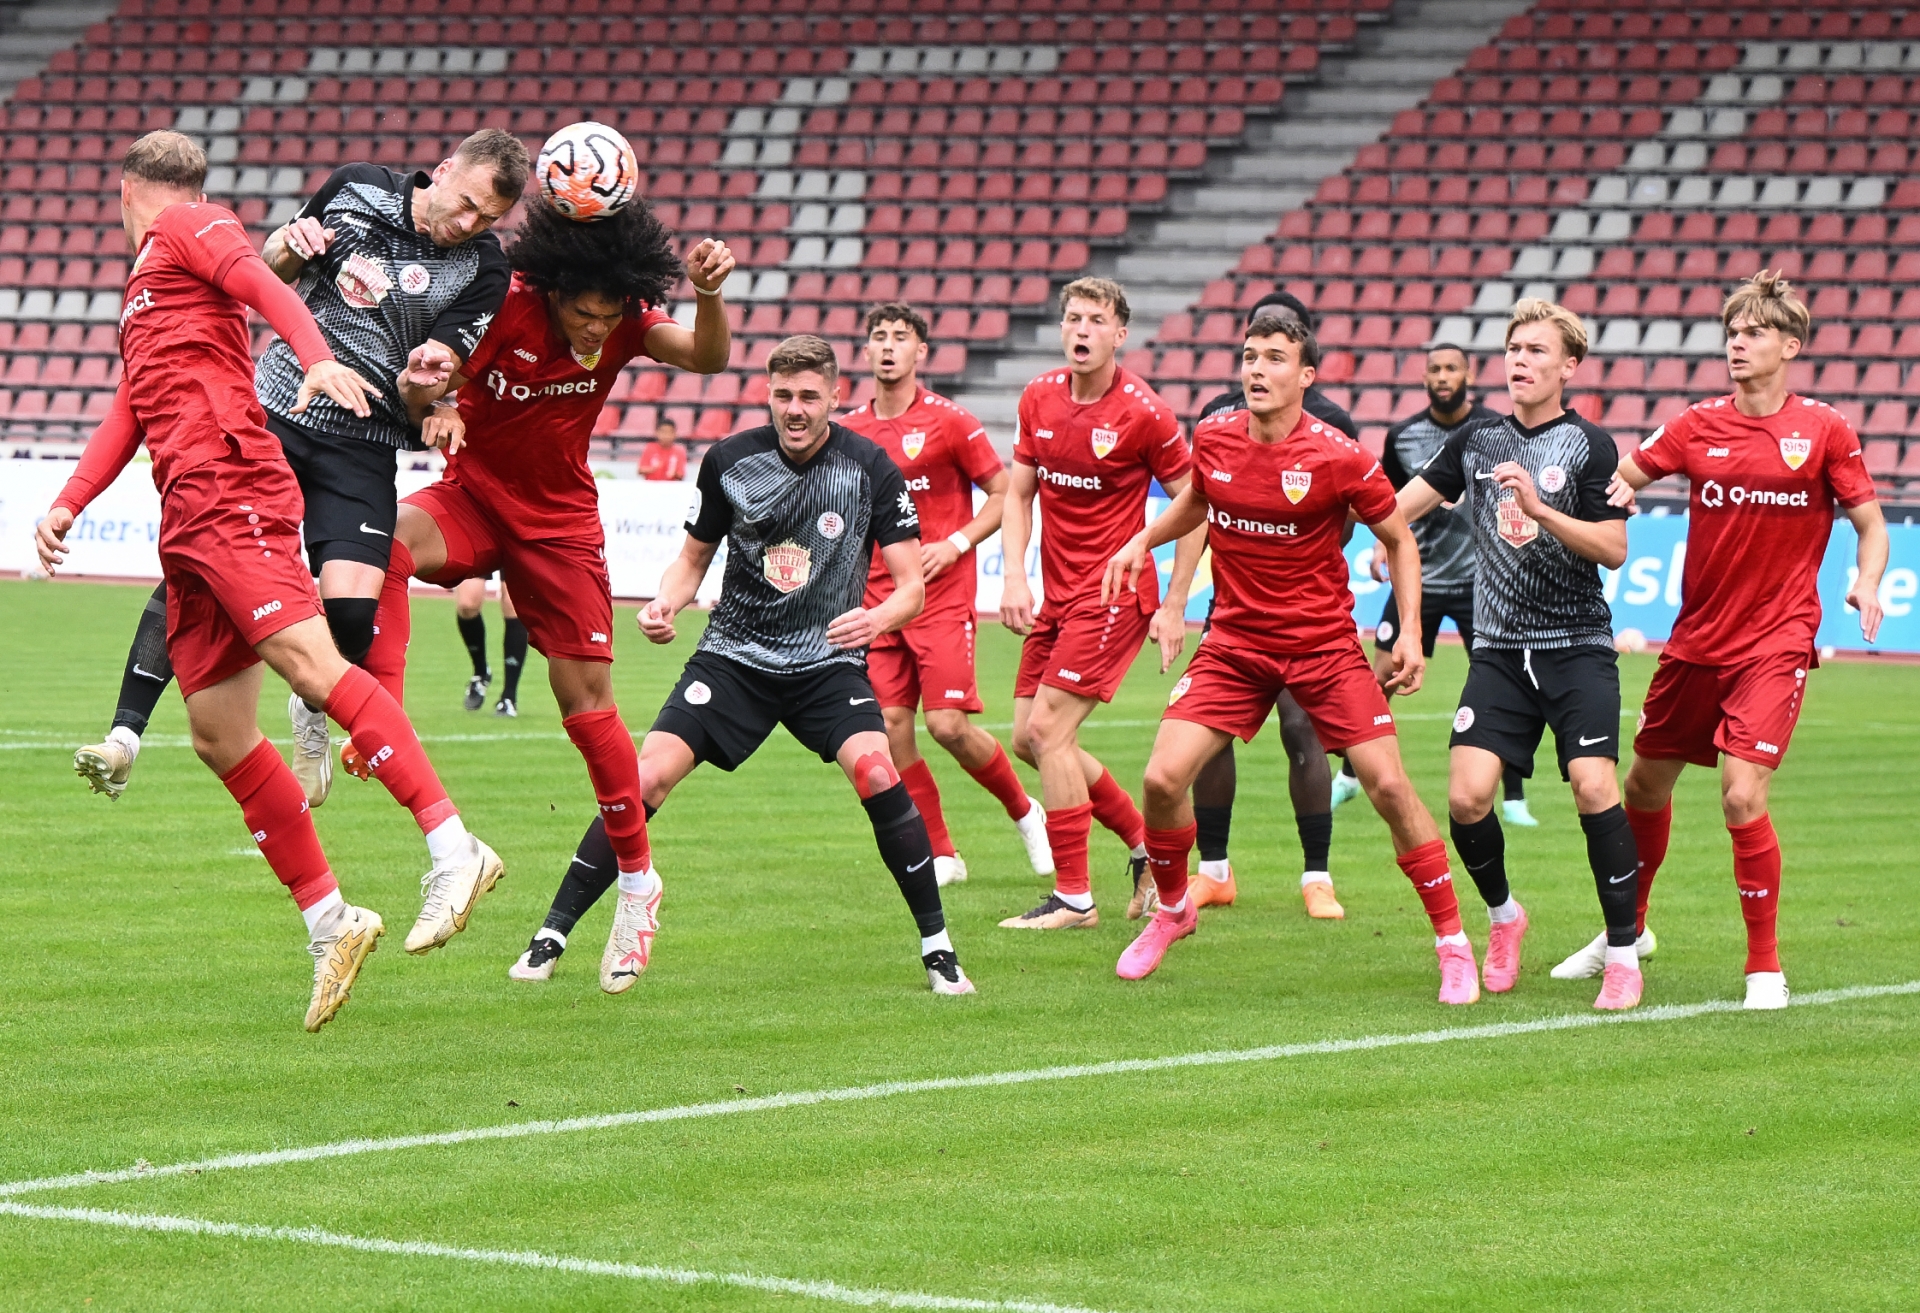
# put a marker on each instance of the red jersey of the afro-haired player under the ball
(531, 408)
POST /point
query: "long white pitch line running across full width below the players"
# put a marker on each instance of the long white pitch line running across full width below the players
(890, 1089)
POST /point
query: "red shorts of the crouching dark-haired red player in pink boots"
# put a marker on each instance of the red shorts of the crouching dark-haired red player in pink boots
(1234, 692)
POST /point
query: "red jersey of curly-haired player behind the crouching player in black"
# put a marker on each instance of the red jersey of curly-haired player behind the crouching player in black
(944, 452)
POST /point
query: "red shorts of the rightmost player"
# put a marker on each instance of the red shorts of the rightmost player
(1748, 711)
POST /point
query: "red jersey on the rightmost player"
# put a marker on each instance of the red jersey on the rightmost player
(1760, 515)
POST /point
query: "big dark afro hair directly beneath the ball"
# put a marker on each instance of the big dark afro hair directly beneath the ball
(627, 256)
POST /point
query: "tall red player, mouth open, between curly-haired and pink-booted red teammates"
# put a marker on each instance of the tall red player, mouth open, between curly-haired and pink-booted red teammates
(1093, 439)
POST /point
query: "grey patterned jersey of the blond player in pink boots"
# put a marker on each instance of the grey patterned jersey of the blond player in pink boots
(1529, 588)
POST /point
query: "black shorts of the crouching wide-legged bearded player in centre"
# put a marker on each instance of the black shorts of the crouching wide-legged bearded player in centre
(725, 711)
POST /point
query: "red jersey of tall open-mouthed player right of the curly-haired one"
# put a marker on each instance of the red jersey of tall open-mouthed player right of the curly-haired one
(1095, 464)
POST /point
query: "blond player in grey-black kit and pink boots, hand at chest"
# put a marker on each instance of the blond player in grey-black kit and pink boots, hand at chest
(1535, 492)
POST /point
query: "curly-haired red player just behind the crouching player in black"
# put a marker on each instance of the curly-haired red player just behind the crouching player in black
(946, 456)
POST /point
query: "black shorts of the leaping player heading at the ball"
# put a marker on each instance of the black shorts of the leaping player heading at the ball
(348, 485)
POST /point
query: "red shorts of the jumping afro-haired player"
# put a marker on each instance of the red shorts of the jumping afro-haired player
(560, 585)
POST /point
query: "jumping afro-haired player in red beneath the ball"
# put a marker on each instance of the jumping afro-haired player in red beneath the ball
(521, 500)
